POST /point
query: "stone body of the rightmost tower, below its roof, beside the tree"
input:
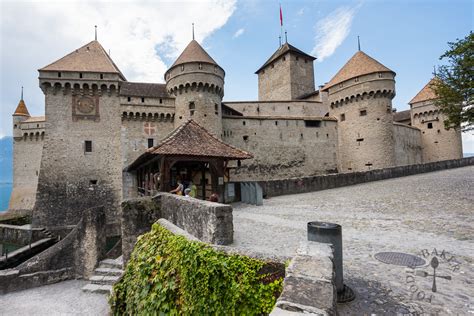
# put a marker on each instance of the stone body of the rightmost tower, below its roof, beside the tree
(437, 142)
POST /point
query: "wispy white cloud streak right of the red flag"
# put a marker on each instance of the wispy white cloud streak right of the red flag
(332, 31)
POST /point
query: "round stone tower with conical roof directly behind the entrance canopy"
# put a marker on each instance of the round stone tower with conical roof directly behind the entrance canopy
(197, 82)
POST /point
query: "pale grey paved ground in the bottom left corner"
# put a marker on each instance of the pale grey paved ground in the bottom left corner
(64, 298)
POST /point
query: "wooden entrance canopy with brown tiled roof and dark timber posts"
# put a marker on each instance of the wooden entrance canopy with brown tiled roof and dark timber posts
(188, 143)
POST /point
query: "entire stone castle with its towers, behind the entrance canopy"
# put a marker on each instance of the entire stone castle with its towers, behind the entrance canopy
(97, 123)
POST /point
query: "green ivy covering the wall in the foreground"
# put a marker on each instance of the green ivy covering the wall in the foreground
(169, 275)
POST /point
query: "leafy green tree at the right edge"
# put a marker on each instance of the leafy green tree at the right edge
(455, 87)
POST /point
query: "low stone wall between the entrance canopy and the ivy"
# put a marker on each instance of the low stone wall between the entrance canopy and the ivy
(210, 222)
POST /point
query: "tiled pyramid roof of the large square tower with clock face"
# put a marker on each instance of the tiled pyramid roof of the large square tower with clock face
(89, 58)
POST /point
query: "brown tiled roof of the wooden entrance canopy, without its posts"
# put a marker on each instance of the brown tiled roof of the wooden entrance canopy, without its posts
(191, 140)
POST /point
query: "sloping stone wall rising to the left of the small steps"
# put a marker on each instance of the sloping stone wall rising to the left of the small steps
(75, 256)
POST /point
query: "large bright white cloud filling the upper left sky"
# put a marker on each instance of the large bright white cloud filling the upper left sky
(133, 30)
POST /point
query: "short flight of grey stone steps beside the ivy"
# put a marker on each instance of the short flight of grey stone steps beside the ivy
(105, 276)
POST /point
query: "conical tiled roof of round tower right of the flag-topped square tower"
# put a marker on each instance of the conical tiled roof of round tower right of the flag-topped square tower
(360, 64)
